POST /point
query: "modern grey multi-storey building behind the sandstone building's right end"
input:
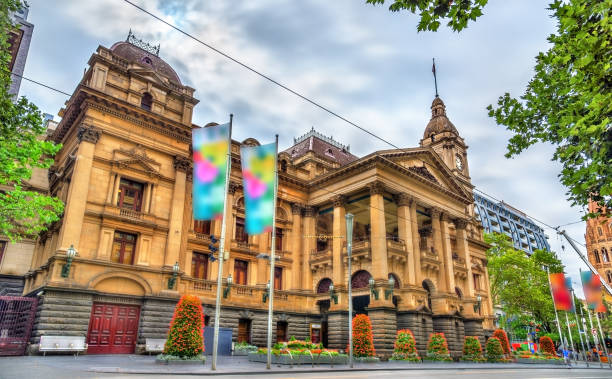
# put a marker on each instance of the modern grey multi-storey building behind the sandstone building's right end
(502, 218)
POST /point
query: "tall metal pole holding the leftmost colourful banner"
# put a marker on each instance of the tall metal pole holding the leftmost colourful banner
(222, 248)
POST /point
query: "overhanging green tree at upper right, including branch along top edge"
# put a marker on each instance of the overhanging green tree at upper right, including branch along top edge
(567, 103)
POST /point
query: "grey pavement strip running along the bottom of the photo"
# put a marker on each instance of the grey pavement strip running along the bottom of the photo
(142, 364)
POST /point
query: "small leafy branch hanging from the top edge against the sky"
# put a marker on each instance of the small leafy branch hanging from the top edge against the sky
(432, 12)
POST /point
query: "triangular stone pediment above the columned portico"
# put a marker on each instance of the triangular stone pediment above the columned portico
(428, 166)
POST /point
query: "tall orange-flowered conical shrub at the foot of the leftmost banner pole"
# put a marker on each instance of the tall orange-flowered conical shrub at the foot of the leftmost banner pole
(185, 338)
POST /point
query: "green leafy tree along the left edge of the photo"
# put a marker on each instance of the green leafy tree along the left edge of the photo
(23, 212)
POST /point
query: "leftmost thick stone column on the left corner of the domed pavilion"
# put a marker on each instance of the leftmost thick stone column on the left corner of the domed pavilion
(76, 202)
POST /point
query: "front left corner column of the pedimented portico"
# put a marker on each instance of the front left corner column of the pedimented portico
(378, 235)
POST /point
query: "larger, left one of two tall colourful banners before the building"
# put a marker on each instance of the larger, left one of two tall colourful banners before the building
(210, 150)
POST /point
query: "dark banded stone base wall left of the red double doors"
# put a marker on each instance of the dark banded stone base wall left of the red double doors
(61, 313)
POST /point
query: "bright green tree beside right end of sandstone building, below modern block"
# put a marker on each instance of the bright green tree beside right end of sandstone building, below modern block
(519, 282)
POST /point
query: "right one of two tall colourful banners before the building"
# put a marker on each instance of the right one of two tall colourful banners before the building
(258, 176)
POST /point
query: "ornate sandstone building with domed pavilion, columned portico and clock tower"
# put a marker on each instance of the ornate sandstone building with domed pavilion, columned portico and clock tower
(125, 175)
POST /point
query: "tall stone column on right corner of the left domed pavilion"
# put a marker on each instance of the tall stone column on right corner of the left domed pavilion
(181, 166)
